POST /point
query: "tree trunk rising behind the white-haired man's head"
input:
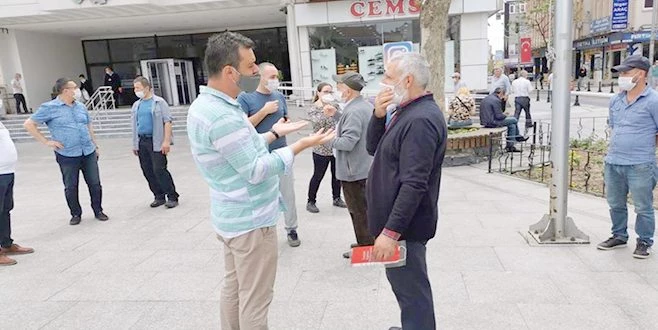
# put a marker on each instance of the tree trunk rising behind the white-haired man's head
(434, 24)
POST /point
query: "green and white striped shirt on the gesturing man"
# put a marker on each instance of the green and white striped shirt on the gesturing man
(235, 162)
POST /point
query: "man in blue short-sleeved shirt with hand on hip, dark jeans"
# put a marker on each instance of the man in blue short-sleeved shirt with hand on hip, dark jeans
(74, 144)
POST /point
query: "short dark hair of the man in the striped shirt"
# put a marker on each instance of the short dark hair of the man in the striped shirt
(224, 49)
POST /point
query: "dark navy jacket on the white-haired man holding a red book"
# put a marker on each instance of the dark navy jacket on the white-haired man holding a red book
(402, 189)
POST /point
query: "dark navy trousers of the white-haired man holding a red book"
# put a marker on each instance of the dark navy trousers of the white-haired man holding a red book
(412, 289)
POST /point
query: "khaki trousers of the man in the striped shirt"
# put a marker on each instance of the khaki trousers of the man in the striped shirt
(250, 269)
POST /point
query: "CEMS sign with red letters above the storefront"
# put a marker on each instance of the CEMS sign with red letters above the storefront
(383, 8)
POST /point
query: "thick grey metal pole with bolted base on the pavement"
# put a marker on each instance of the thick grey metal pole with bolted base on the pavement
(556, 227)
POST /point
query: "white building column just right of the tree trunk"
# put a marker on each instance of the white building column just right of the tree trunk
(474, 50)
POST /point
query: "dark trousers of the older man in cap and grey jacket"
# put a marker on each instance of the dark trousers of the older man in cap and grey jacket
(355, 198)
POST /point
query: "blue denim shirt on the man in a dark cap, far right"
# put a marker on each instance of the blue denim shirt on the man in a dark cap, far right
(634, 127)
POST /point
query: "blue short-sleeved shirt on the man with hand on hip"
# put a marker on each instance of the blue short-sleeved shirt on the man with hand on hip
(68, 125)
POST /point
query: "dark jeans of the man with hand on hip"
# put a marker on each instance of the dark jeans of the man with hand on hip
(71, 167)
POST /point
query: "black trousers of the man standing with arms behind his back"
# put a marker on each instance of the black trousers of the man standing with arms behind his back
(154, 168)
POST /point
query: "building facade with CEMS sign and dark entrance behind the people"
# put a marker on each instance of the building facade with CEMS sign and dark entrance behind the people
(307, 40)
